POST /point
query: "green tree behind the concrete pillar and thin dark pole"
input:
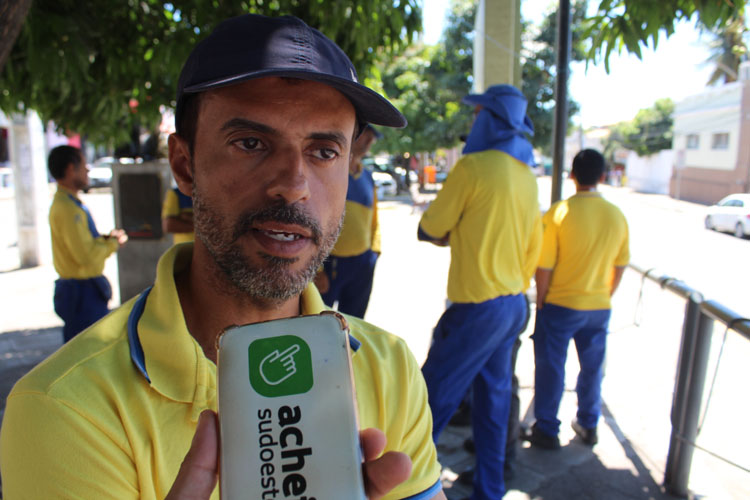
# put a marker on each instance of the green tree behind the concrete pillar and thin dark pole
(428, 83)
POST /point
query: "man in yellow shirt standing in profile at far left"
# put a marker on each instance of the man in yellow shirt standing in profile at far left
(78, 250)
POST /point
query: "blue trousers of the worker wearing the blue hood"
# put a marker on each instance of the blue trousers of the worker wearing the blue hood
(472, 346)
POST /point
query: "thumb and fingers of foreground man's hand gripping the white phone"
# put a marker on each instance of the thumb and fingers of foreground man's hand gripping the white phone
(199, 472)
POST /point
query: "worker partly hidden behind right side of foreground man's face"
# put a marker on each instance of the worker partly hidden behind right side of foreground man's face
(347, 273)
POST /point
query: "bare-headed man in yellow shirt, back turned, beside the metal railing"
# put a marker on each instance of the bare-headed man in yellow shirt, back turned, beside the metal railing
(585, 251)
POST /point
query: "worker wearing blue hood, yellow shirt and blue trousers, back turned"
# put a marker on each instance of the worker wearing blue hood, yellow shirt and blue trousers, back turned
(488, 212)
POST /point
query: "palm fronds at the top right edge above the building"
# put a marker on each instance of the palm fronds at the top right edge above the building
(728, 50)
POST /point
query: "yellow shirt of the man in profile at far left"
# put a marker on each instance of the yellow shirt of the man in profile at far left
(76, 254)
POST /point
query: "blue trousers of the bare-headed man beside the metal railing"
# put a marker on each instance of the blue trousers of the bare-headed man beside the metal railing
(555, 327)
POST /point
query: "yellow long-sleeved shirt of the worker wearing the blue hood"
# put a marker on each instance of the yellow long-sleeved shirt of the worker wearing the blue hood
(490, 206)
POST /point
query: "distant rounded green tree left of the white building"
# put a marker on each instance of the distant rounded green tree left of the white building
(649, 132)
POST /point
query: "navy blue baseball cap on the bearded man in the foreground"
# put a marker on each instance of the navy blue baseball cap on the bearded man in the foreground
(253, 46)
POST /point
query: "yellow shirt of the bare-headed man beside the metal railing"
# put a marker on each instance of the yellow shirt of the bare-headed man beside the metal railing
(585, 238)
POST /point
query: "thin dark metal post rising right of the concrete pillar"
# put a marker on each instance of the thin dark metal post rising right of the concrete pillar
(561, 97)
